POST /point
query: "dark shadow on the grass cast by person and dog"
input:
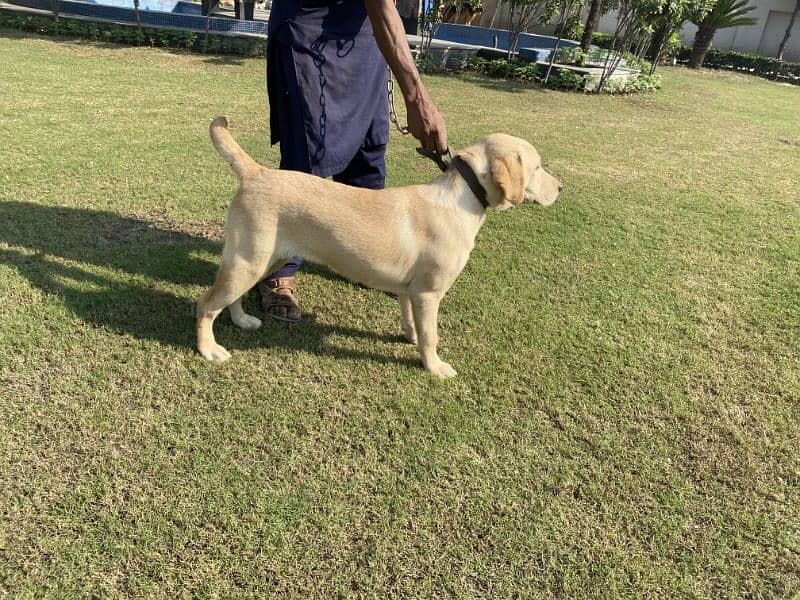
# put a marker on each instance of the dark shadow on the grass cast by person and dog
(128, 275)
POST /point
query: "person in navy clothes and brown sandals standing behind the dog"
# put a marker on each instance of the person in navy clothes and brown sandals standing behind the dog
(327, 83)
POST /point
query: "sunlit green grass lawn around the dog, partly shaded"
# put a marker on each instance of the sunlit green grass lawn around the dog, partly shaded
(626, 418)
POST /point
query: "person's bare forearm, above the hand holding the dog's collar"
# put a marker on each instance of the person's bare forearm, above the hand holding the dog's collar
(393, 43)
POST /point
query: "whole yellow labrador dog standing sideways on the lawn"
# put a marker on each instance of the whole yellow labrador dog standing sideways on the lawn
(412, 241)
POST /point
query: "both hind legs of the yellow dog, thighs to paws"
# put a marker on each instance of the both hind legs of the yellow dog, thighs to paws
(234, 279)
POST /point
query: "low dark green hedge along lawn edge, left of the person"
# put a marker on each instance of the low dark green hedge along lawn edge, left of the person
(133, 35)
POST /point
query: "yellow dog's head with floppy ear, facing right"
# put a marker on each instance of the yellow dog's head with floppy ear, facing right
(511, 171)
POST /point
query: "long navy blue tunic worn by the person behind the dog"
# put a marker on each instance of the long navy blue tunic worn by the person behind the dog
(326, 81)
